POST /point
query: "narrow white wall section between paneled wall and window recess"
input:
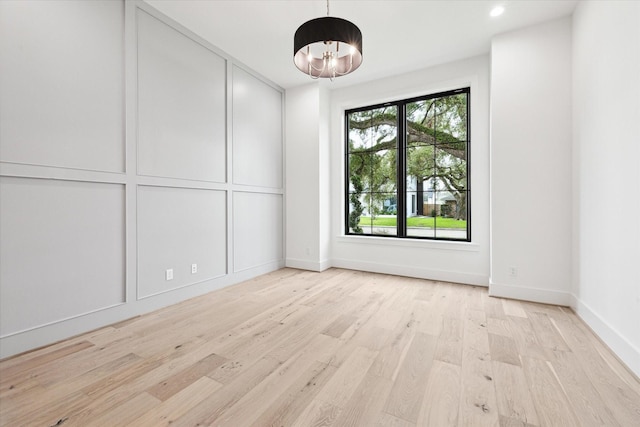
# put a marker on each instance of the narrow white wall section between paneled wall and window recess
(308, 200)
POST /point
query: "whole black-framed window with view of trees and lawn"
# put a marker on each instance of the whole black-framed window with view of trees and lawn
(407, 168)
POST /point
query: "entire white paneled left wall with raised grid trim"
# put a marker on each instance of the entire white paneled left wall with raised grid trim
(120, 132)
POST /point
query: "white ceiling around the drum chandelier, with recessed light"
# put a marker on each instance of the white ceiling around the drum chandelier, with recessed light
(398, 35)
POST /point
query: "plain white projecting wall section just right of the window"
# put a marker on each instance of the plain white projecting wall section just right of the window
(531, 163)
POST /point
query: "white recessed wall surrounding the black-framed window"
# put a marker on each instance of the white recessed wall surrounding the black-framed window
(464, 262)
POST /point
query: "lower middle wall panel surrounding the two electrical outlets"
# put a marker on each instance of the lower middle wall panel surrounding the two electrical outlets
(179, 227)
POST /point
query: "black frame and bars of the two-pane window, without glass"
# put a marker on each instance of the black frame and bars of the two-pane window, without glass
(401, 166)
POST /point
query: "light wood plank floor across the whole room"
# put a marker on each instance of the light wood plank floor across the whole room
(339, 348)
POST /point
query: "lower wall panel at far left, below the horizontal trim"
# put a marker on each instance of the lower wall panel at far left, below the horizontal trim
(61, 250)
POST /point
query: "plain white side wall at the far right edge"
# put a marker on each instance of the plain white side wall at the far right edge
(606, 143)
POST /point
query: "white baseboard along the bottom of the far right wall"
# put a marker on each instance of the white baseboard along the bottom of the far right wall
(625, 350)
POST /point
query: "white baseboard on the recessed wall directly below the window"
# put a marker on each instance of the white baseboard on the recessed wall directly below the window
(411, 271)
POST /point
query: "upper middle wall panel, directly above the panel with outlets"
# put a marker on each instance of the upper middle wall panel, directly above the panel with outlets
(181, 105)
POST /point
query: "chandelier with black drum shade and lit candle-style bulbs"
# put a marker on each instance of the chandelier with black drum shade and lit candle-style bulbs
(327, 47)
